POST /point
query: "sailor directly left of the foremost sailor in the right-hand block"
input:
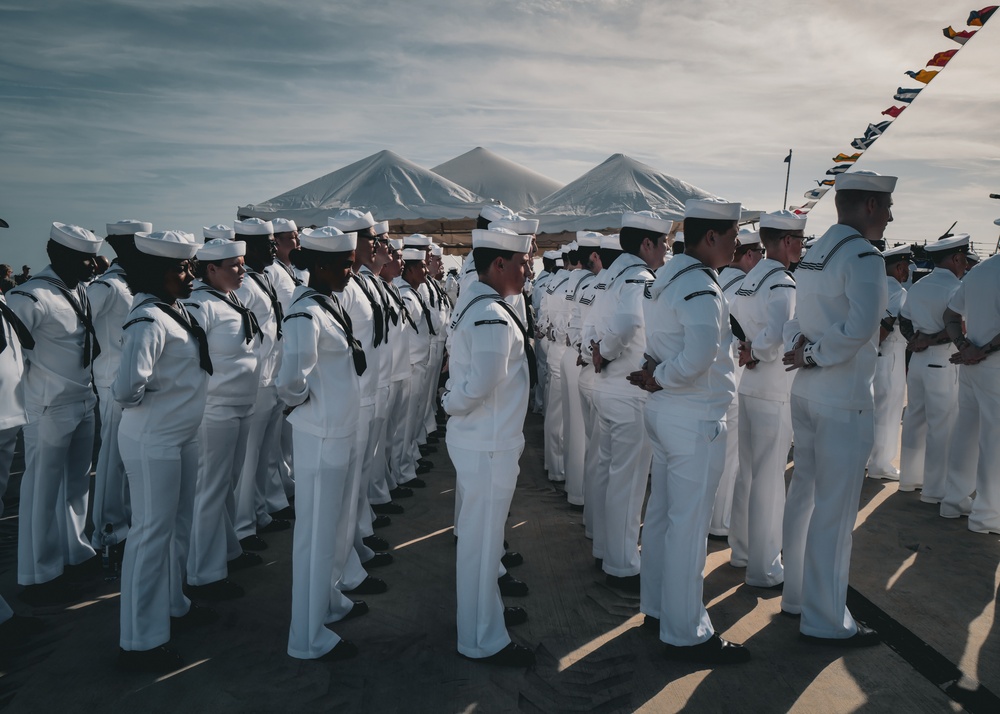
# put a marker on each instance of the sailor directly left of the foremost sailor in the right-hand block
(616, 351)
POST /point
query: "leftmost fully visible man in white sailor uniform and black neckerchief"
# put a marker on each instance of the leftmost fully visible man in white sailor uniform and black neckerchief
(59, 401)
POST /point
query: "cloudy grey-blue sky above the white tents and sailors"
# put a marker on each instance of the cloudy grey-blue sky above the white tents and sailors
(178, 111)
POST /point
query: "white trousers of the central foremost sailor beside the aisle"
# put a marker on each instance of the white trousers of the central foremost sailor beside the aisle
(485, 482)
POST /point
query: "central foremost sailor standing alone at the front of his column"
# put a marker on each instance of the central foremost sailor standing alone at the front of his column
(486, 397)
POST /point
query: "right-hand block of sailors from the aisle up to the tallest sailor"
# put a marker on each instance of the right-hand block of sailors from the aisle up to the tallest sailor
(718, 461)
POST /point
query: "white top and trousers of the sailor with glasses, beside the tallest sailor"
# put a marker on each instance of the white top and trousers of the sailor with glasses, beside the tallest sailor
(762, 305)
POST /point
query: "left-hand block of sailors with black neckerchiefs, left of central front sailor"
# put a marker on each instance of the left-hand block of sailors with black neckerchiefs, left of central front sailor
(193, 379)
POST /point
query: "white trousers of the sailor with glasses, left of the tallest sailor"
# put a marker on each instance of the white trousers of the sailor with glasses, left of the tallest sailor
(755, 531)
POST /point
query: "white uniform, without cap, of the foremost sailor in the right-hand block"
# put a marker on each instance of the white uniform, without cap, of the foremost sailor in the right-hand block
(688, 334)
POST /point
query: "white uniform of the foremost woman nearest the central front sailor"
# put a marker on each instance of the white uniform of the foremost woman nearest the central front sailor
(319, 379)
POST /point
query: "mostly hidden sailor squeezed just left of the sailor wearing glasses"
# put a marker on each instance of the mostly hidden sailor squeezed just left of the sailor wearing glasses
(748, 254)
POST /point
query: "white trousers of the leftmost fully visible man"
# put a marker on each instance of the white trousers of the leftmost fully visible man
(58, 446)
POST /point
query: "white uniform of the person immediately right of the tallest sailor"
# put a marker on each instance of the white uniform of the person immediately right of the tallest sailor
(890, 389)
